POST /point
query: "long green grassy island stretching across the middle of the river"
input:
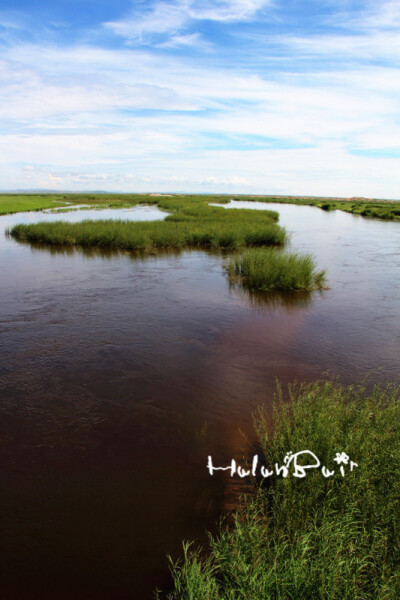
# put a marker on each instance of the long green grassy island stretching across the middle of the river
(192, 223)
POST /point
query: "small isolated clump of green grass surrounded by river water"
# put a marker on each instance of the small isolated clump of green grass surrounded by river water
(269, 270)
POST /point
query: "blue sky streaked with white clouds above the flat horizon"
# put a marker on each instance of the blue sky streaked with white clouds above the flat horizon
(208, 96)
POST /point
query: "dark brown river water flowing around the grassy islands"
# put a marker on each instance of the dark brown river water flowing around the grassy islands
(119, 375)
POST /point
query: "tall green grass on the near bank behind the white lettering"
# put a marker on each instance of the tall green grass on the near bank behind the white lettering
(335, 538)
